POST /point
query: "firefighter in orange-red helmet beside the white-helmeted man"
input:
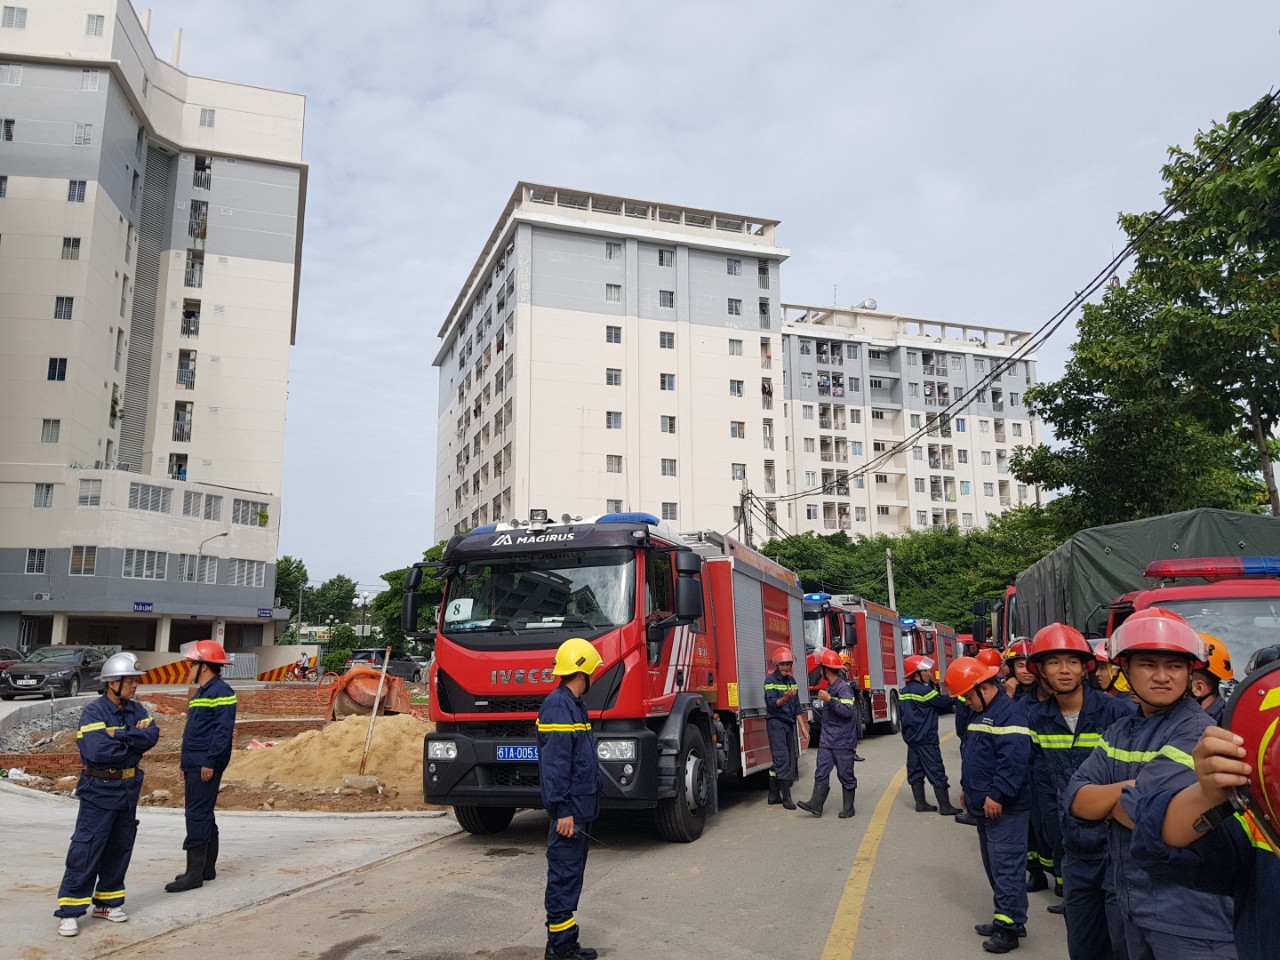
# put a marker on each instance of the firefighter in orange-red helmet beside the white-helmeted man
(207, 749)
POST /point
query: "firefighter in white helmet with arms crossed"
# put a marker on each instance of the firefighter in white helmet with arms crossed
(115, 734)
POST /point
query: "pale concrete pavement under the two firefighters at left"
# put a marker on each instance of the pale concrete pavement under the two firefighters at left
(263, 856)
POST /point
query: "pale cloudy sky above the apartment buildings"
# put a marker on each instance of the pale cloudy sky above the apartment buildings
(954, 162)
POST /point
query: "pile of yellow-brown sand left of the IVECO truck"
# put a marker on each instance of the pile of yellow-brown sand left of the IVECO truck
(319, 758)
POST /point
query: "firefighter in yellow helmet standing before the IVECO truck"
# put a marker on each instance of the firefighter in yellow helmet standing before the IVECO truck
(570, 780)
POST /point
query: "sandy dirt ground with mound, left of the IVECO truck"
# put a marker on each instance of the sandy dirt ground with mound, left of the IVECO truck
(304, 772)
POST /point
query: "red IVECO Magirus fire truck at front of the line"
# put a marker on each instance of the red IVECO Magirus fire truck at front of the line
(684, 624)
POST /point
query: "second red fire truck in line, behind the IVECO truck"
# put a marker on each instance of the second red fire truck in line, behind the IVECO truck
(870, 634)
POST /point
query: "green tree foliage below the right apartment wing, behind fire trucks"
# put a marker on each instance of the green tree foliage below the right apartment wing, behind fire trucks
(939, 573)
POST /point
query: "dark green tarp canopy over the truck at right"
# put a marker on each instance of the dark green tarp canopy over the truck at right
(1098, 566)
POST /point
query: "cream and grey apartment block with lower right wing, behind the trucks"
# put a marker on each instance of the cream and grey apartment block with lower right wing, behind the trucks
(610, 354)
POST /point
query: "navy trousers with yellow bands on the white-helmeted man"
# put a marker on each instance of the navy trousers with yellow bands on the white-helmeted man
(98, 860)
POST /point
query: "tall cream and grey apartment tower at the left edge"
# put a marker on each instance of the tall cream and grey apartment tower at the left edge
(150, 248)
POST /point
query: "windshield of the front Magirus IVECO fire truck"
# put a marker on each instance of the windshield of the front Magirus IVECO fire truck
(587, 591)
